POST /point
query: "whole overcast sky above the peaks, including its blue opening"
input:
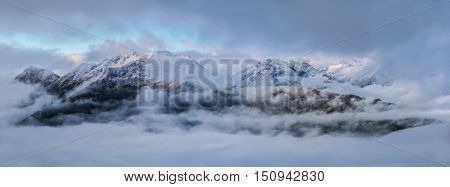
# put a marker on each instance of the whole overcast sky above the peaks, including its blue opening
(58, 34)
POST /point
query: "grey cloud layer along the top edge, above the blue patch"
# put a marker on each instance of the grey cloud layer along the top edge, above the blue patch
(287, 27)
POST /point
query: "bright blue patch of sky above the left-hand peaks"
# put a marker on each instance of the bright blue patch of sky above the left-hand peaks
(178, 38)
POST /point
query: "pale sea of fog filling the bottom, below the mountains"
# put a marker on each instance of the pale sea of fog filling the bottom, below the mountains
(241, 138)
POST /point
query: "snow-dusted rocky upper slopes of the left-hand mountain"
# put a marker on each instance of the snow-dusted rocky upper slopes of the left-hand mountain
(121, 76)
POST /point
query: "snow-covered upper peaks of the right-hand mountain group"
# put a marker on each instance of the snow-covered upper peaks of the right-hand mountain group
(277, 72)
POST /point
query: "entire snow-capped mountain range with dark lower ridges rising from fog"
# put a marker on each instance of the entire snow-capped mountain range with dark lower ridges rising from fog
(271, 86)
